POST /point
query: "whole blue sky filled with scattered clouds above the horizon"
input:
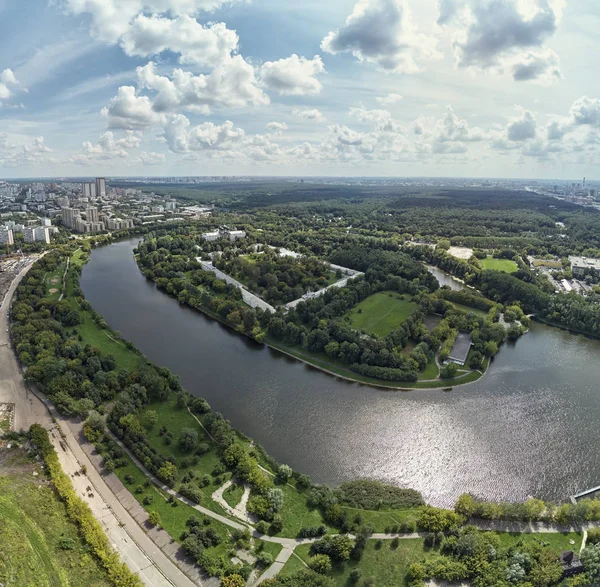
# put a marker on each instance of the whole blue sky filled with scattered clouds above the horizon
(497, 88)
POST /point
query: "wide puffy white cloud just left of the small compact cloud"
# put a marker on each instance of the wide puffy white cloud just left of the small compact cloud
(231, 84)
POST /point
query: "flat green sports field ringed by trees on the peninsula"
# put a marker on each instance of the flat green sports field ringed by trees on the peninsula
(381, 313)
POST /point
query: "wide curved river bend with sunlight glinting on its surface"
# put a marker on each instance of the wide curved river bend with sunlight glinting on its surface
(529, 427)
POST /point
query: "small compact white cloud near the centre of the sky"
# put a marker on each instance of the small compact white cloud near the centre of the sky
(294, 76)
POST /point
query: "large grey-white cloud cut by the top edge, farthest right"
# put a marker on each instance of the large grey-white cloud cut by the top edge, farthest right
(502, 34)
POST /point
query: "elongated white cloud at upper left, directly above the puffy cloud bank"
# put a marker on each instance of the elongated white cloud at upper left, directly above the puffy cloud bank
(207, 46)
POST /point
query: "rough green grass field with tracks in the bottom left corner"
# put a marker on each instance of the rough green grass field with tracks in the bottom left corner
(38, 543)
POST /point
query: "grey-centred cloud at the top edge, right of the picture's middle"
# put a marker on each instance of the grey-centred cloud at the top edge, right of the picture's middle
(382, 32)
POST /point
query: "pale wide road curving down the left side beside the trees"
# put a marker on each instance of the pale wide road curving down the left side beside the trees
(131, 542)
